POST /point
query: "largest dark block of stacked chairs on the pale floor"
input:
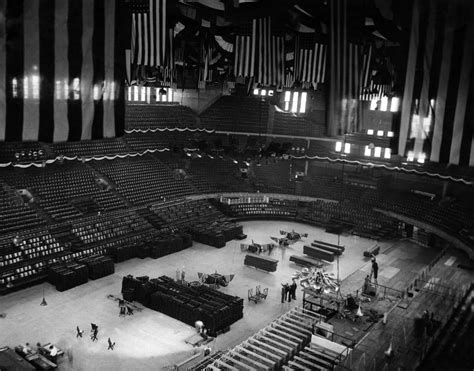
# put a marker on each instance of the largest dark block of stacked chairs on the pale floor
(188, 304)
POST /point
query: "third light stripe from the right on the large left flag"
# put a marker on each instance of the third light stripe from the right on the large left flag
(61, 66)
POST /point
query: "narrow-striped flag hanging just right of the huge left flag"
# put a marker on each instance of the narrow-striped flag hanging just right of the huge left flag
(150, 41)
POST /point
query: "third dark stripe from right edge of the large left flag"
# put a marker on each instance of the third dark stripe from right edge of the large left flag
(74, 108)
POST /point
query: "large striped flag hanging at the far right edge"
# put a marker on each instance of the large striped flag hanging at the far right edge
(436, 119)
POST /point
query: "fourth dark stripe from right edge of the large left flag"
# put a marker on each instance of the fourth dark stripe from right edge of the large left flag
(46, 67)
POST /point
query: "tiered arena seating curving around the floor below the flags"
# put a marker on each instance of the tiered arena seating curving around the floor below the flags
(124, 207)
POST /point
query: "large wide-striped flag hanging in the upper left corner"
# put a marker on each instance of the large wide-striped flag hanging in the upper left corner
(61, 70)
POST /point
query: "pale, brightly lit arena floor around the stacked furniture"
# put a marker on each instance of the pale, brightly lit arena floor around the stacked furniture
(150, 340)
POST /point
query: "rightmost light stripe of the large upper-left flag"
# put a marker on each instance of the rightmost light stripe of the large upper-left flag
(109, 45)
